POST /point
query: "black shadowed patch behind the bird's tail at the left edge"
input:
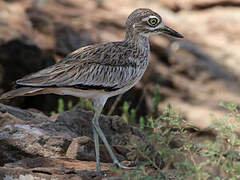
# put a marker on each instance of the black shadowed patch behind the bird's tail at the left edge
(18, 59)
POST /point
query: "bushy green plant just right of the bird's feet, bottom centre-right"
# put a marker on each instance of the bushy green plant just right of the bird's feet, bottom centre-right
(164, 132)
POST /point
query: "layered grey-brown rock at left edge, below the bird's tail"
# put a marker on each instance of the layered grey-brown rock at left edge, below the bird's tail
(21, 135)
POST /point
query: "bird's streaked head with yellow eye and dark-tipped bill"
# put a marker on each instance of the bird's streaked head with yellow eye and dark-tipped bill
(146, 22)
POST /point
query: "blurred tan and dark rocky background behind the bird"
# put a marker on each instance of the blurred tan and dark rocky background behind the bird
(194, 74)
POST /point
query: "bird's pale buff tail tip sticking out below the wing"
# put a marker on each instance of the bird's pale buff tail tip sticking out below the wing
(23, 91)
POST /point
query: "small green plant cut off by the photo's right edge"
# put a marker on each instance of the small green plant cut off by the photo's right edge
(224, 153)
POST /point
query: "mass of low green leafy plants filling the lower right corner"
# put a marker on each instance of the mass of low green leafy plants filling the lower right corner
(184, 157)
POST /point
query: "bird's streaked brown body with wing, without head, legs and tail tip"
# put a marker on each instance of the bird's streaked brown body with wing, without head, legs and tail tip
(107, 67)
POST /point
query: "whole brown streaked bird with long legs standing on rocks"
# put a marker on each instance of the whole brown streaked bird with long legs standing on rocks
(100, 71)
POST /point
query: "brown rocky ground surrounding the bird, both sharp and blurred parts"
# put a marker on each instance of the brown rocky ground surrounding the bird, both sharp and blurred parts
(194, 75)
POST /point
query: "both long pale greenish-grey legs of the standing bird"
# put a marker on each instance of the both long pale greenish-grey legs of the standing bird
(98, 105)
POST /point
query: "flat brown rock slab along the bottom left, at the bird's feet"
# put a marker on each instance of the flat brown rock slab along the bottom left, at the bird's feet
(48, 168)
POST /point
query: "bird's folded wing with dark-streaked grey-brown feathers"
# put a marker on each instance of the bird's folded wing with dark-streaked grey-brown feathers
(88, 66)
